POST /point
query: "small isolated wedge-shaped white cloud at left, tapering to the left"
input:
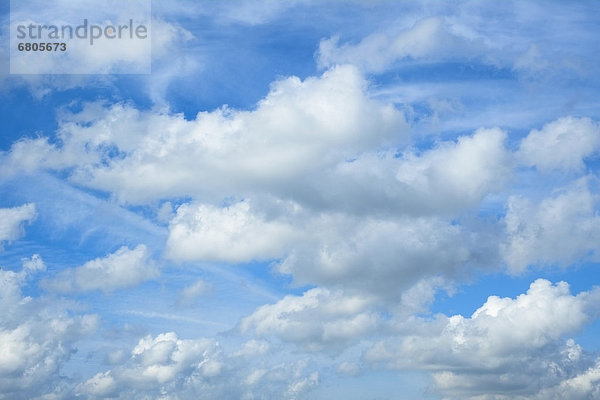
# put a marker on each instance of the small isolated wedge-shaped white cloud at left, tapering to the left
(121, 269)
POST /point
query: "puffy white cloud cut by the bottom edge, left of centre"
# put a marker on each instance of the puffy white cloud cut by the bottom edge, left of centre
(181, 368)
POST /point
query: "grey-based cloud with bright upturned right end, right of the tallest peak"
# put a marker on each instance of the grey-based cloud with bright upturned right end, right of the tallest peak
(450, 177)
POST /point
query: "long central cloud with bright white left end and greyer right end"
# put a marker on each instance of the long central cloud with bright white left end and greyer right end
(377, 256)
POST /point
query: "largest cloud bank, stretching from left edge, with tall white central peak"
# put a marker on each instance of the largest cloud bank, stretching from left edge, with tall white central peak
(321, 142)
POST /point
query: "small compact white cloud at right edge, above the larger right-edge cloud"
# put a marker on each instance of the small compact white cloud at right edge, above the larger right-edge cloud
(563, 144)
